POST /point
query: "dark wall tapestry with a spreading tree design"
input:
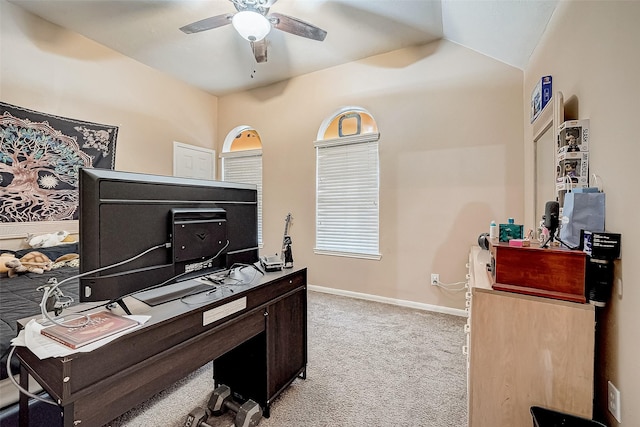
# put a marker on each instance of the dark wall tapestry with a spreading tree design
(40, 156)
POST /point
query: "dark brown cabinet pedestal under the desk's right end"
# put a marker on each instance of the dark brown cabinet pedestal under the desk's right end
(283, 347)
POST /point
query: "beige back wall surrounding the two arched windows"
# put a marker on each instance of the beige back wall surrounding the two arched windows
(450, 161)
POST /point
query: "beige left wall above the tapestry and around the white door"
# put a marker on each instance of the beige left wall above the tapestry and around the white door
(46, 68)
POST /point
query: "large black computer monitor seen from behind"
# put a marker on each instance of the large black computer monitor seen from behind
(188, 226)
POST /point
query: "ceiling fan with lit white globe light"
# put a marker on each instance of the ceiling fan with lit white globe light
(253, 22)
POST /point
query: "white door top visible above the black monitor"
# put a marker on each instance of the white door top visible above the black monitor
(190, 161)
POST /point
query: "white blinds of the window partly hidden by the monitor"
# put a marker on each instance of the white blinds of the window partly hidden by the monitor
(245, 168)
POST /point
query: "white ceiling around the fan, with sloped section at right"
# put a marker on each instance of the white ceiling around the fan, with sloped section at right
(220, 61)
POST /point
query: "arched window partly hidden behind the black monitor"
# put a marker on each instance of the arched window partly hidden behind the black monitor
(242, 162)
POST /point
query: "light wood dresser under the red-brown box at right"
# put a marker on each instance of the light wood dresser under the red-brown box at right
(524, 351)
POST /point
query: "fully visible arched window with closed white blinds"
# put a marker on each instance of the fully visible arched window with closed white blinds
(347, 185)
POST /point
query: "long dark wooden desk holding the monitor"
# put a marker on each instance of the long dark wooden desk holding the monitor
(269, 334)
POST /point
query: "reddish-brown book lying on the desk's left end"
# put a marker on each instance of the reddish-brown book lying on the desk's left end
(100, 325)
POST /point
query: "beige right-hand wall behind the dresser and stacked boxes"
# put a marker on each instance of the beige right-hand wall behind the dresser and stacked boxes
(591, 49)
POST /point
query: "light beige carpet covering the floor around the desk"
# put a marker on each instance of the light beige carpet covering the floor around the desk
(369, 364)
